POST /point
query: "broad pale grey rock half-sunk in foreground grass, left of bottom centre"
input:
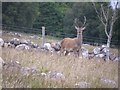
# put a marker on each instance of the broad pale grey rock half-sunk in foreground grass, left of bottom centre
(54, 75)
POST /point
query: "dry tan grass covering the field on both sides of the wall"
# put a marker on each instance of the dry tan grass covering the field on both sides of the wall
(74, 69)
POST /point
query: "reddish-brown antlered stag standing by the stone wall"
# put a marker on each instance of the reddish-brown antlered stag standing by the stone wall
(74, 44)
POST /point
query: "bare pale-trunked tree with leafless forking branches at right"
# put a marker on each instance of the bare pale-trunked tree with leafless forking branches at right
(108, 18)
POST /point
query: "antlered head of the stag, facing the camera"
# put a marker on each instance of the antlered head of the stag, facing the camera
(79, 26)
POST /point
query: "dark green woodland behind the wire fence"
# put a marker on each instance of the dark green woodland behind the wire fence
(58, 18)
